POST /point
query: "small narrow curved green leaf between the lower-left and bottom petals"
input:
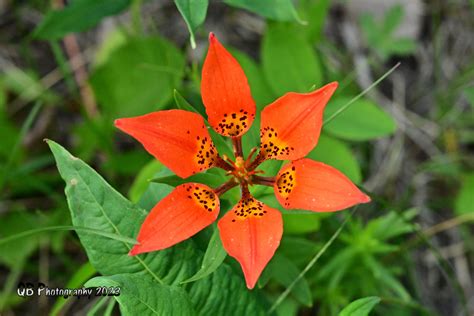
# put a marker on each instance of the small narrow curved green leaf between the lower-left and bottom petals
(213, 258)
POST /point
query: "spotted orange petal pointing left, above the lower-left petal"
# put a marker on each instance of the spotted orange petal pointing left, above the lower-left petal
(177, 138)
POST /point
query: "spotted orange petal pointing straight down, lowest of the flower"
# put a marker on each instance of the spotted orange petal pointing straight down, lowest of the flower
(251, 233)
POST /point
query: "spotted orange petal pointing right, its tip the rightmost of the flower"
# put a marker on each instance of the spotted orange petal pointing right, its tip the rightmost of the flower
(311, 185)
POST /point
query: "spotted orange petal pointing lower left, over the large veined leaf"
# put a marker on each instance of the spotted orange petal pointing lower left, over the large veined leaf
(188, 209)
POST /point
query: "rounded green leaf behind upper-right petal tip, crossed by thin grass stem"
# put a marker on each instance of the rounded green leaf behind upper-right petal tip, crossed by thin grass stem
(363, 120)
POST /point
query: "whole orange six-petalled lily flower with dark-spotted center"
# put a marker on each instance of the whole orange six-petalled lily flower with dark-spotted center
(290, 128)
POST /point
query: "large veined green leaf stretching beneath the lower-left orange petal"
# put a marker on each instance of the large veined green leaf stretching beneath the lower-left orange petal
(95, 204)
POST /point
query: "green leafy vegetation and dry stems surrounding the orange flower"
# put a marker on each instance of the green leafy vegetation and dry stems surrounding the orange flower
(67, 70)
